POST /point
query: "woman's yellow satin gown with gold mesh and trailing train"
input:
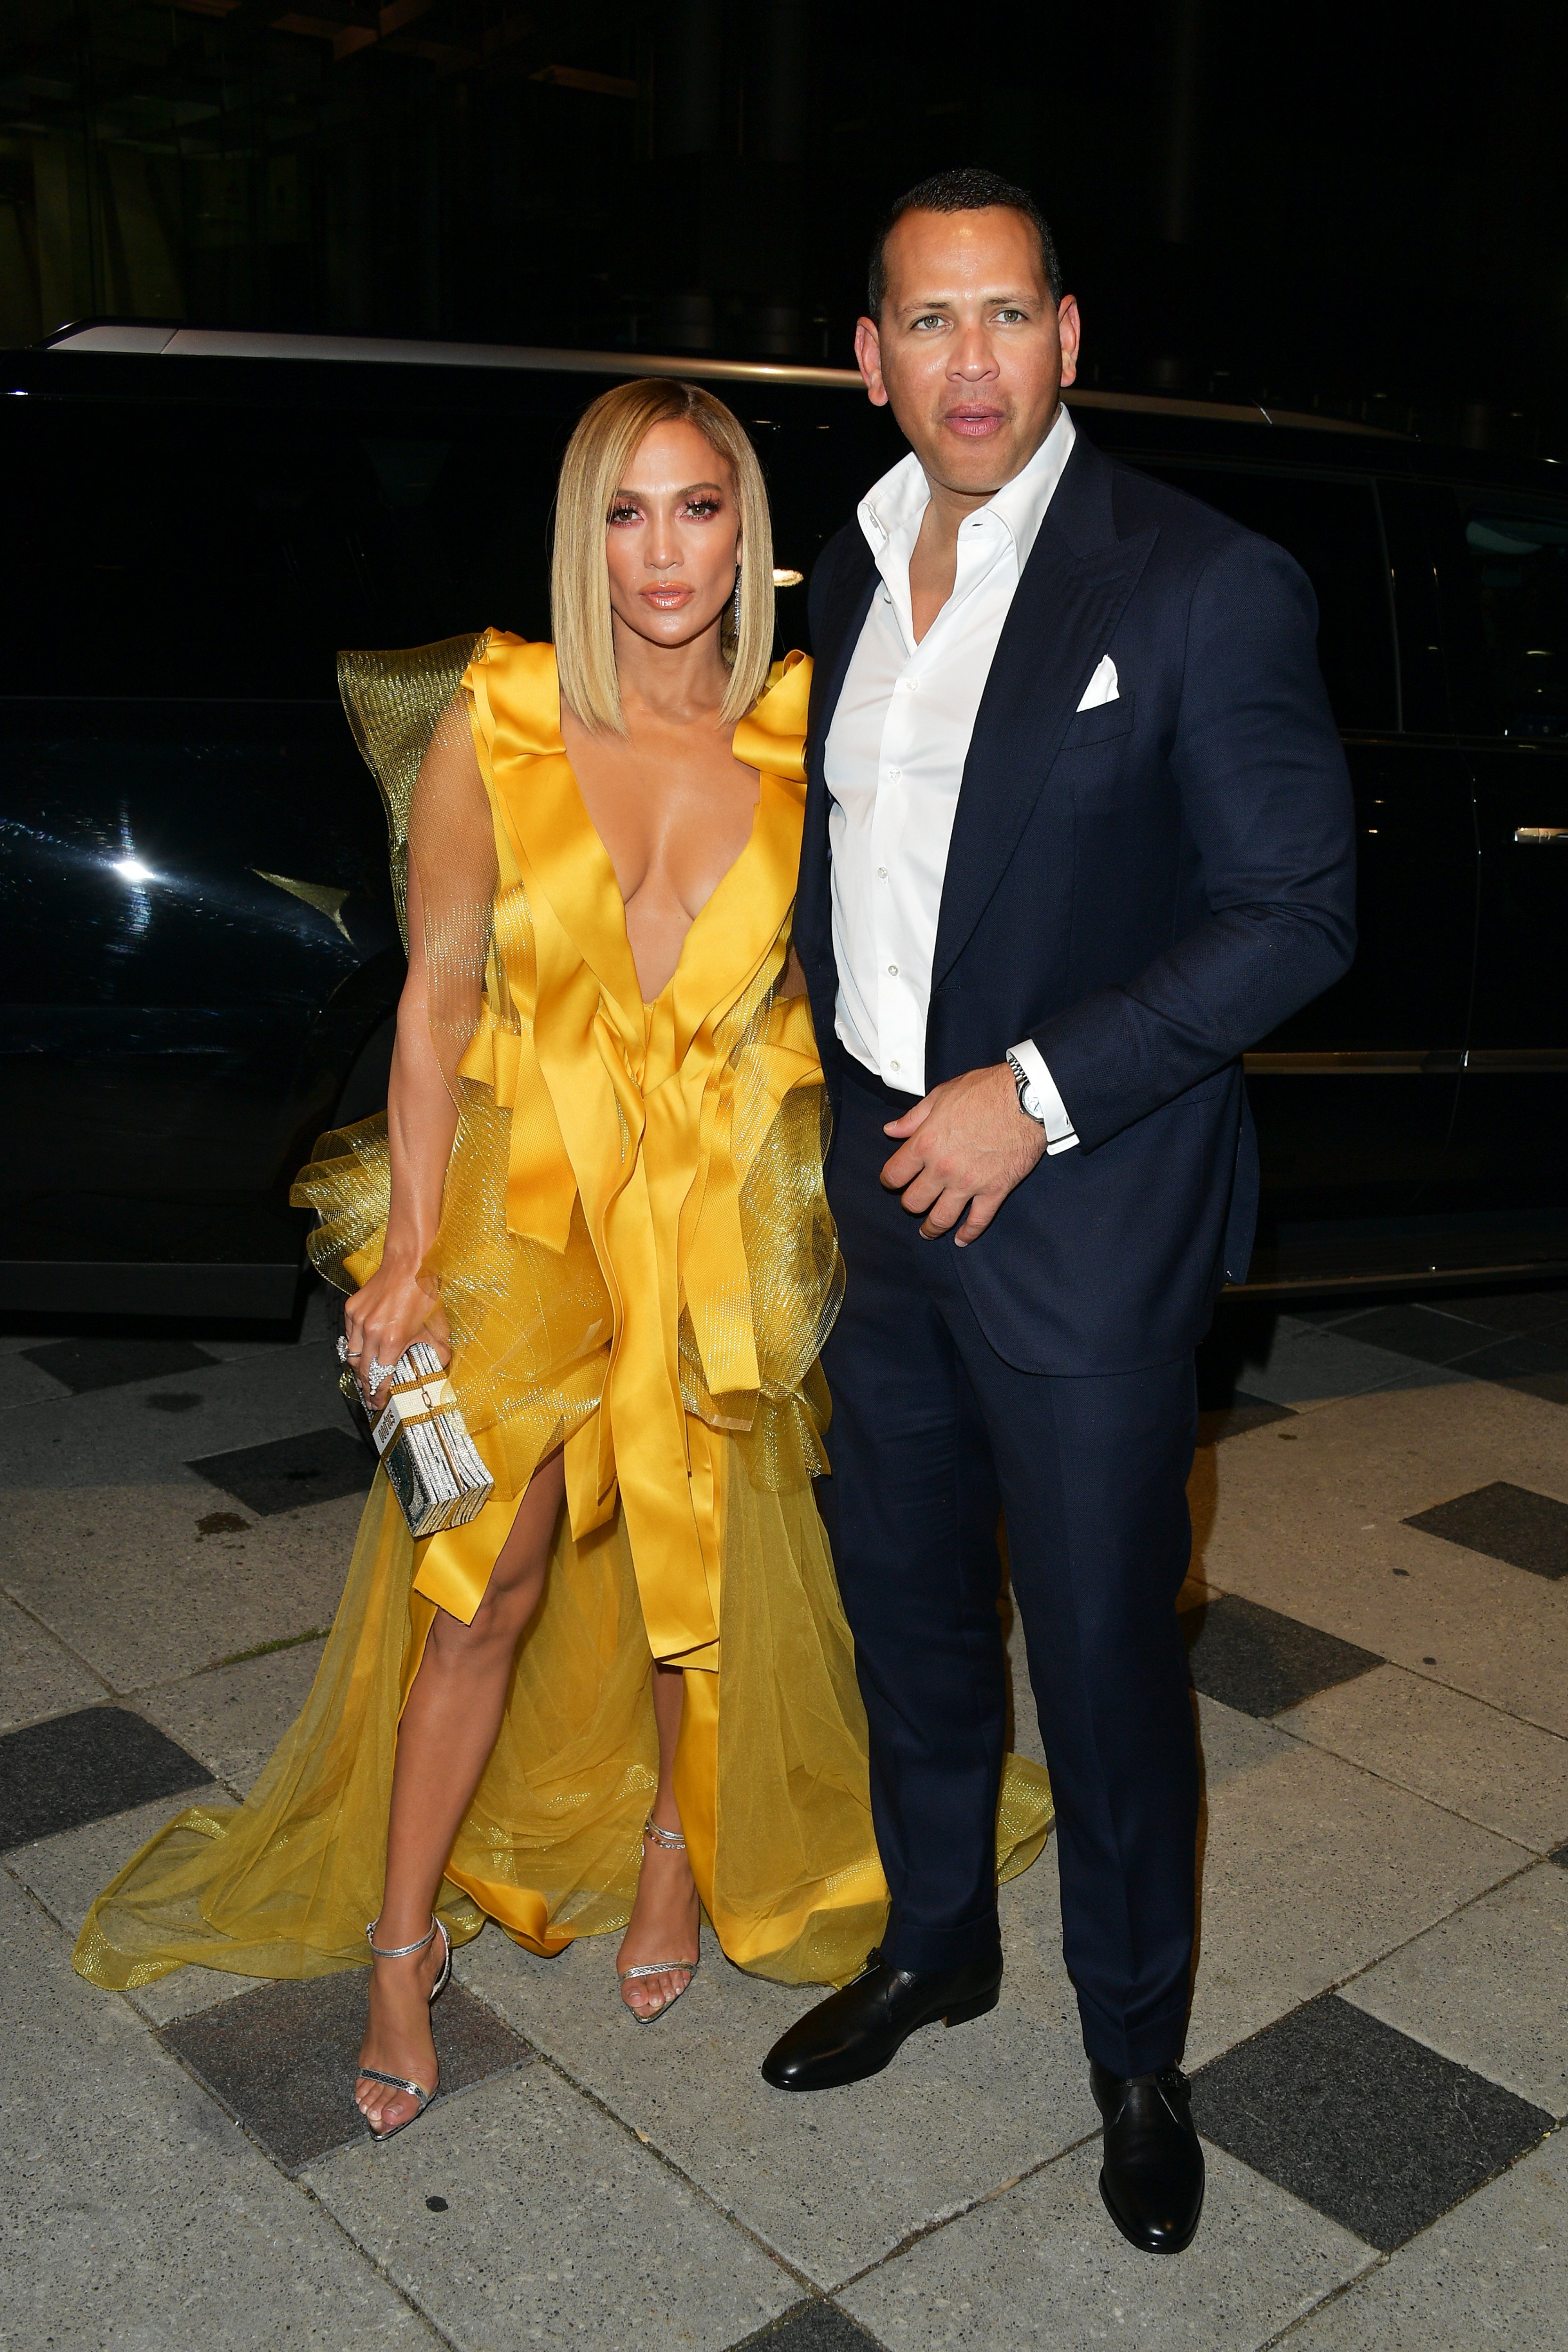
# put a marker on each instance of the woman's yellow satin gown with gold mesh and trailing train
(638, 1264)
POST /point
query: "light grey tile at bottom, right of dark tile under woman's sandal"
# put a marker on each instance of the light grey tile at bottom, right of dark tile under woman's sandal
(558, 2229)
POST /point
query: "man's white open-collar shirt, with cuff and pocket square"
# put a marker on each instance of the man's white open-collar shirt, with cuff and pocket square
(897, 751)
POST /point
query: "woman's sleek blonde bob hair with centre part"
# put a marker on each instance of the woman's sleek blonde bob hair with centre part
(594, 472)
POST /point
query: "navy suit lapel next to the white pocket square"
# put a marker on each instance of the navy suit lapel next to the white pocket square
(1064, 615)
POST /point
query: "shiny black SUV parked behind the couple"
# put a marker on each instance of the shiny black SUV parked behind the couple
(201, 944)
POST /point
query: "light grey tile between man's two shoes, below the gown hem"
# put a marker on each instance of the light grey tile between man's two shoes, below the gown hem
(831, 2181)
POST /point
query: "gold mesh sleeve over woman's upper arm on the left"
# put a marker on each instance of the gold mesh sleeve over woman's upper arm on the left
(413, 723)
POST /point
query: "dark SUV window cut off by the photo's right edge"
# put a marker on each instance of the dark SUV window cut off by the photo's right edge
(1517, 563)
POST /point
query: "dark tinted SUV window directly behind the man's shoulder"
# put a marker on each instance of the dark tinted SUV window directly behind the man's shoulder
(1334, 535)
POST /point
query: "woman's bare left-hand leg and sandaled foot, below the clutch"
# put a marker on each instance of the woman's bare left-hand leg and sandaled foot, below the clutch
(443, 1746)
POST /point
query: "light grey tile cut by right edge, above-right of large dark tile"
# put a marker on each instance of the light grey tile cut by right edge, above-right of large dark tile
(1489, 1989)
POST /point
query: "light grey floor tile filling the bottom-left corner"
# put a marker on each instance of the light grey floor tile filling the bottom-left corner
(138, 2214)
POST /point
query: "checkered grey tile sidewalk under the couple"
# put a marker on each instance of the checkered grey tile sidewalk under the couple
(1379, 1641)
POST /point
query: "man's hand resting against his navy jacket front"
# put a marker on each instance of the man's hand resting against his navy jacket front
(963, 1151)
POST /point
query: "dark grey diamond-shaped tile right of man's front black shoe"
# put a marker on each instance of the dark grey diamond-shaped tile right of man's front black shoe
(1360, 2120)
